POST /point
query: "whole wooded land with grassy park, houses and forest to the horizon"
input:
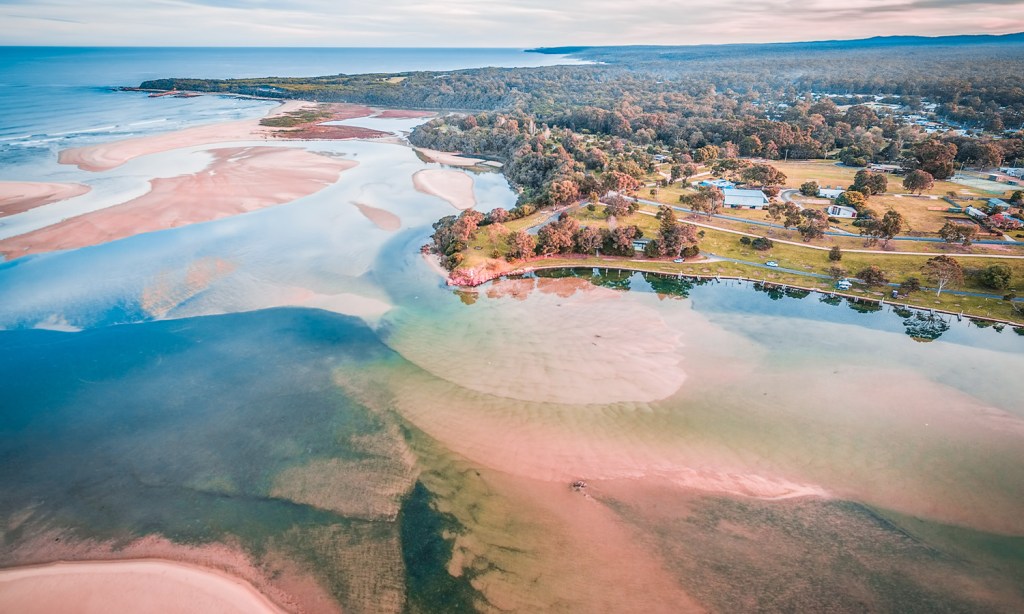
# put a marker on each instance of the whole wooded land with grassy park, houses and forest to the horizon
(654, 133)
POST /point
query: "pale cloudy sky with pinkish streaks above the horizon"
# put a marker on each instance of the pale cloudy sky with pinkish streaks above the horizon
(489, 23)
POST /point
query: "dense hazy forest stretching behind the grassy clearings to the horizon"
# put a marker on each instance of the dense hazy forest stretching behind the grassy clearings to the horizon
(564, 131)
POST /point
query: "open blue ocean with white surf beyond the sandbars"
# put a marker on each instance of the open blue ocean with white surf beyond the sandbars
(60, 98)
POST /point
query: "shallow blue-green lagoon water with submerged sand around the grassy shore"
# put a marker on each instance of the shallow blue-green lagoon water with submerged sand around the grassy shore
(295, 397)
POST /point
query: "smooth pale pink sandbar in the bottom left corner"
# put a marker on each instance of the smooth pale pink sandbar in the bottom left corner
(142, 587)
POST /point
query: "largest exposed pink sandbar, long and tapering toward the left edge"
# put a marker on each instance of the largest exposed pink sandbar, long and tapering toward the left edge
(239, 181)
